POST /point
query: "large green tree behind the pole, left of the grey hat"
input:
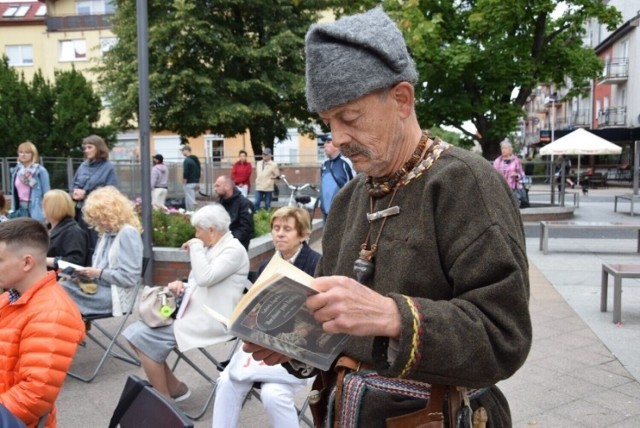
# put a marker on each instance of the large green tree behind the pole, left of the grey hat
(221, 67)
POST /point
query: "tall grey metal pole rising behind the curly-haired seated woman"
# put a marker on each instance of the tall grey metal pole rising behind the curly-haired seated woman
(143, 123)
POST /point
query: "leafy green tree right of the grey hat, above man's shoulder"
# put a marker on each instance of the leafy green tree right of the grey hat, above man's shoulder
(479, 60)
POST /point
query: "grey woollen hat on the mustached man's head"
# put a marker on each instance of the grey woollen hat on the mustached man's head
(354, 56)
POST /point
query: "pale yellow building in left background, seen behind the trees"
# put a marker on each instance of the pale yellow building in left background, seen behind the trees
(59, 34)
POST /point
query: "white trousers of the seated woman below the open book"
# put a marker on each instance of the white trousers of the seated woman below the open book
(277, 399)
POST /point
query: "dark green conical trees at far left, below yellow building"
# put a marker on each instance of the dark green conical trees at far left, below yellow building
(54, 116)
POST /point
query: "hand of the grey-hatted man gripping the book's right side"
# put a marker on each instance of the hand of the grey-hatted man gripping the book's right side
(346, 306)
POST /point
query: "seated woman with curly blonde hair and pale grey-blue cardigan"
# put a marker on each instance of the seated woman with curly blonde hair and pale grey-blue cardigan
(117, 261)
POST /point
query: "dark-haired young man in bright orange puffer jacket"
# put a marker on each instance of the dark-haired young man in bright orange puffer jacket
(40, 326)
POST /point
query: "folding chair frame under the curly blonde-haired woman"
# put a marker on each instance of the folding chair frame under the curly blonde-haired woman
(111, 337)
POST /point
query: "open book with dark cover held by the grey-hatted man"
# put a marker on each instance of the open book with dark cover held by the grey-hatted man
(273, 314)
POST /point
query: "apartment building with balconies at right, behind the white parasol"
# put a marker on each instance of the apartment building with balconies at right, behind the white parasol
(612, 108)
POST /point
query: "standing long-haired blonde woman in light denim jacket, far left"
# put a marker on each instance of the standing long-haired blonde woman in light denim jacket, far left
(30, 181)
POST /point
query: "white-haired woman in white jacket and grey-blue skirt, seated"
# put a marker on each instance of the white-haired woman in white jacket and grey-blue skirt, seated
(219, 269)
